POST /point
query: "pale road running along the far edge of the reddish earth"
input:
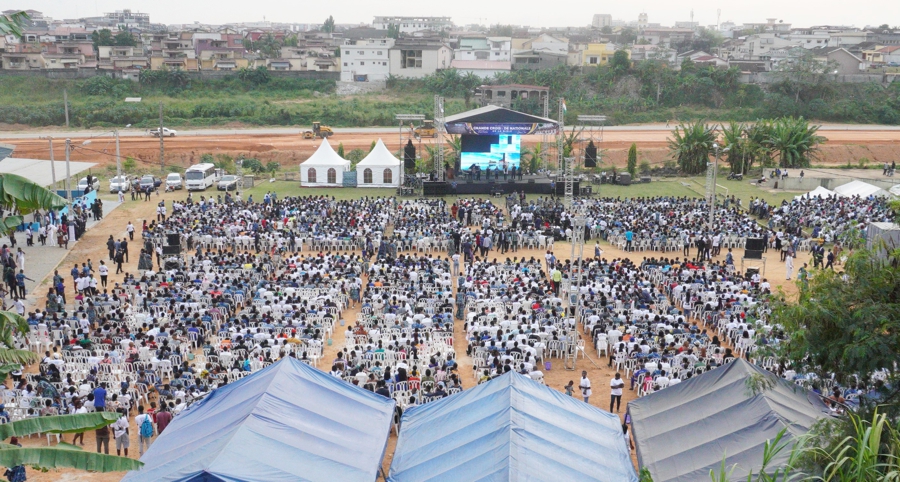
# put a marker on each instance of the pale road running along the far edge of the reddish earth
(62, 134)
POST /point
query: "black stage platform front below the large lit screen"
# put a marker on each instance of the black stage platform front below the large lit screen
(530, 184)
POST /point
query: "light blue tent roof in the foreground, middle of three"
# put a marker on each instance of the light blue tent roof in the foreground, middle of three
(511, 428)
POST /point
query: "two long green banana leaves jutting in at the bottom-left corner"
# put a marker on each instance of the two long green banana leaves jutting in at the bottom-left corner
(62, 455)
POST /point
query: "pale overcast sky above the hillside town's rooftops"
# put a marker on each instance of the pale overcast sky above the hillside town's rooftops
(528, 12)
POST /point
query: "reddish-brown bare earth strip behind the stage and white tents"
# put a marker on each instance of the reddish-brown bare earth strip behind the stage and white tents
(841, 147)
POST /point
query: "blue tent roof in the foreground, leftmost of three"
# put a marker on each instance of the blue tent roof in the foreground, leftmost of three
(288, 422)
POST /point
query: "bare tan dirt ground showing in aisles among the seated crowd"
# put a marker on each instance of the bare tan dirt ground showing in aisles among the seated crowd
(93, 246)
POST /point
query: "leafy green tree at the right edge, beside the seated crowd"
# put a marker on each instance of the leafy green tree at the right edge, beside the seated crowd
(846, 325)
